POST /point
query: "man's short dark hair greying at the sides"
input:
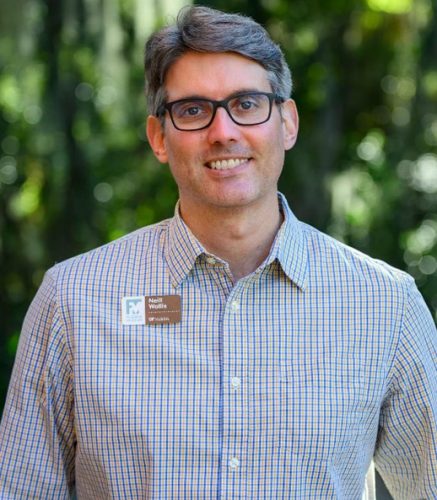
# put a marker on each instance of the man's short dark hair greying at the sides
(203, 29)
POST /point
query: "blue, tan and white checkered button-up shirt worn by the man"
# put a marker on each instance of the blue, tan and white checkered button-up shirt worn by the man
(284, 385)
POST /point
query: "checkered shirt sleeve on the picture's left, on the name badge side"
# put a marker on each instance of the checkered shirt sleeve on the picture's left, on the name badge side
(37, 439)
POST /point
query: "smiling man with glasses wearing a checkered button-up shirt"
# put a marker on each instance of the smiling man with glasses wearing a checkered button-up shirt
(231, 351)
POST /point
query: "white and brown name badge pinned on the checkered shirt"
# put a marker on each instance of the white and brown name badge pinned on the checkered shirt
(151, 310)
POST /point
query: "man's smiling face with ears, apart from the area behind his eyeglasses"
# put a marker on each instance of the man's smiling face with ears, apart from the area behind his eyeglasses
(257, 151)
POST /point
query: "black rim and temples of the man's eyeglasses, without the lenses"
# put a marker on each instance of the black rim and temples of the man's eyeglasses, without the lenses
(219, 104)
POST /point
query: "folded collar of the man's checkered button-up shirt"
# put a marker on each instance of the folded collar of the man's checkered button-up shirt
(182, 248)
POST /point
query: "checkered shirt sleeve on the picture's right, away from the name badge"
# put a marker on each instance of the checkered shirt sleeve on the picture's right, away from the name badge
(406, 451)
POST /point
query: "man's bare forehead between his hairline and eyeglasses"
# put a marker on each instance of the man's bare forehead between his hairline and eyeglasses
(214, 75)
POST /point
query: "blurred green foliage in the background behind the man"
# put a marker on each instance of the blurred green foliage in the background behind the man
(76, 171)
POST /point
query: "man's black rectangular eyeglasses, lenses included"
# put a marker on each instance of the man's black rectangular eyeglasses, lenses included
(246, 108)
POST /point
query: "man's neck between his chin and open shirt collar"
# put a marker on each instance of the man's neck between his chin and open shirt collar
(240, 236)
